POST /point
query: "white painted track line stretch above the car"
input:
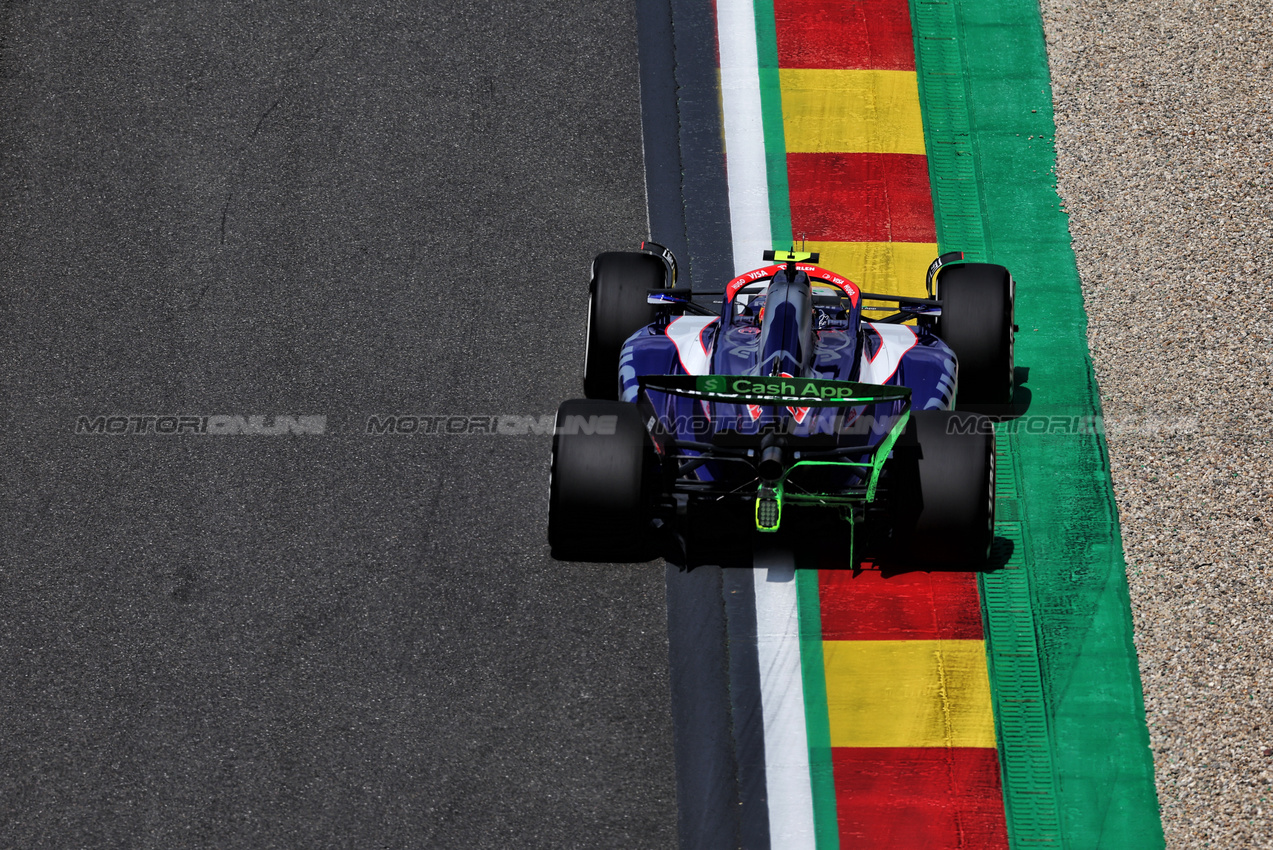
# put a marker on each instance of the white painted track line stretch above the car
(744, 134)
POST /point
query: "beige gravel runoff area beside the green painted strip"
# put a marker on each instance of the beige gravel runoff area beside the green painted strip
(1165, 166)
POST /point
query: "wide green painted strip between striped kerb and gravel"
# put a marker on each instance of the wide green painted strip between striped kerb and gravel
(1058, 614)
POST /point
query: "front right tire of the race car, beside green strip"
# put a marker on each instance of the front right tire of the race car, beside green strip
(977, 323)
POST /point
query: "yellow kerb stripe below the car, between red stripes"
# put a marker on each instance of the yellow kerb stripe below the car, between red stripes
(908, 694)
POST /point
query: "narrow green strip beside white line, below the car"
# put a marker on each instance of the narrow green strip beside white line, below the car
(818, 725)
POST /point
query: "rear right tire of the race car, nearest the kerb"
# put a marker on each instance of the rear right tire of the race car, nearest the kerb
(943, 492)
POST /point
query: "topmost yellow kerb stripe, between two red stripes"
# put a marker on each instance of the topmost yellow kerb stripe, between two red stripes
(852, 113)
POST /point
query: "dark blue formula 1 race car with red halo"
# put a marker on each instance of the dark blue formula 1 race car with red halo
(785, 396)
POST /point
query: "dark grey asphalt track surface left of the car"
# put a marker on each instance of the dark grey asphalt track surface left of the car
(335, 641)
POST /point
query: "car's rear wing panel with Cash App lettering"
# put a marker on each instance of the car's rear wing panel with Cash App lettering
(785, 393)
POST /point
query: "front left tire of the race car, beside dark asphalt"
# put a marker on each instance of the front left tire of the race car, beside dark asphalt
(617, 310)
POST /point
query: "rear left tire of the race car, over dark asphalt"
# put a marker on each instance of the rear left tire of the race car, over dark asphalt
(599, 485)
